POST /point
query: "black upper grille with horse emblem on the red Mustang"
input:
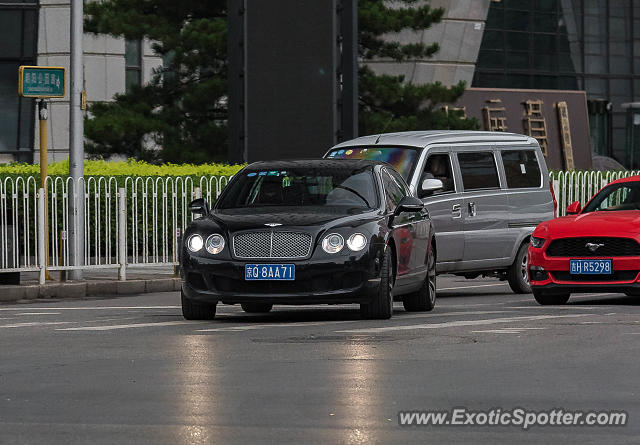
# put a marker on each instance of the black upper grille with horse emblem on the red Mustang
(577, 247)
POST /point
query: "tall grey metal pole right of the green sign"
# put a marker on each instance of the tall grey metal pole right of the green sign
(76, 142)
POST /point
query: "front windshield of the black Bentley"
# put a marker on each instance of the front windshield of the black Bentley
(342, 187)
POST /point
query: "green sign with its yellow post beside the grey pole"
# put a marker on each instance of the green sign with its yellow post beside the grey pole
(42, 82)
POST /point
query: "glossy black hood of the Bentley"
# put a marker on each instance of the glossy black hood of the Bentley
(235, 220)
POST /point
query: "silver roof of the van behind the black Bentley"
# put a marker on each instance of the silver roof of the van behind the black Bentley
(424, 138)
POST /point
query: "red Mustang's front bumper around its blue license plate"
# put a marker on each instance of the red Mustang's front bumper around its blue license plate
(556, 277)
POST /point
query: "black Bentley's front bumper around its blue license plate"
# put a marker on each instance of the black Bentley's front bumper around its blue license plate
(340, 279)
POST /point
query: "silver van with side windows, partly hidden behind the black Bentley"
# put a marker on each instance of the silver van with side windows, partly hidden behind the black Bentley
(485, 192)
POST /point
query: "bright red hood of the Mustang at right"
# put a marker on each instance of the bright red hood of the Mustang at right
(593, 224)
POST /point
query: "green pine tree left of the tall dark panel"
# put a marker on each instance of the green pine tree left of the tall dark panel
(183, 109)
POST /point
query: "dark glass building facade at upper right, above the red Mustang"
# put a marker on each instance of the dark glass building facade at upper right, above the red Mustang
(591, 45)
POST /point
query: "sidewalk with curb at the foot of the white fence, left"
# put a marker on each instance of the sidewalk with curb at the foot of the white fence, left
(96, 283)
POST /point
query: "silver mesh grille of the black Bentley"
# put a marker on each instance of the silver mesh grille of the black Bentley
(272, 245)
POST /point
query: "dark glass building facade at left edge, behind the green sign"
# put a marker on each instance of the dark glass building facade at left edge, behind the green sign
(18, 46)
